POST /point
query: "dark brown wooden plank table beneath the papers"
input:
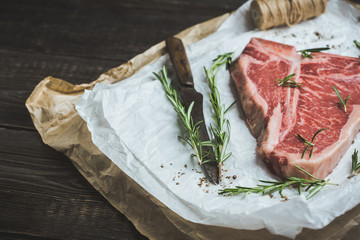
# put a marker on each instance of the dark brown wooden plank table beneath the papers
(41, 193)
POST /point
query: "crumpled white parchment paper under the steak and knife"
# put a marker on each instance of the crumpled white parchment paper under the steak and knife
(133, 123)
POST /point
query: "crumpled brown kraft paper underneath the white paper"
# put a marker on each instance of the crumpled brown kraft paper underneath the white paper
(52, 108)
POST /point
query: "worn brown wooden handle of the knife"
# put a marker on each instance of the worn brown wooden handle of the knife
(180, 61)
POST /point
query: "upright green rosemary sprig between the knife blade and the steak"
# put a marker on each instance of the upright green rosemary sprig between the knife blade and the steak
(221, 130)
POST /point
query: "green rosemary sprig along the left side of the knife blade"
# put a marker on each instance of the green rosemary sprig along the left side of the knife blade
(185, 115)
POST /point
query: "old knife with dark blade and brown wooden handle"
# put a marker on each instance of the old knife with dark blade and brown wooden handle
(188, 94)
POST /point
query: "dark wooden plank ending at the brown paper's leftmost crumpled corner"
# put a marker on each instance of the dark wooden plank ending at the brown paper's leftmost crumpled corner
(21, 72)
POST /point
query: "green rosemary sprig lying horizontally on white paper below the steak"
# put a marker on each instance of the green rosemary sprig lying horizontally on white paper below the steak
(269, 187)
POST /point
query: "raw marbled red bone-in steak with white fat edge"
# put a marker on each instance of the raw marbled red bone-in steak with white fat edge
(276, 114)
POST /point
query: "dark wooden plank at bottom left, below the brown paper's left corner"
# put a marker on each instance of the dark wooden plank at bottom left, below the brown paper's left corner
(42, 194)
